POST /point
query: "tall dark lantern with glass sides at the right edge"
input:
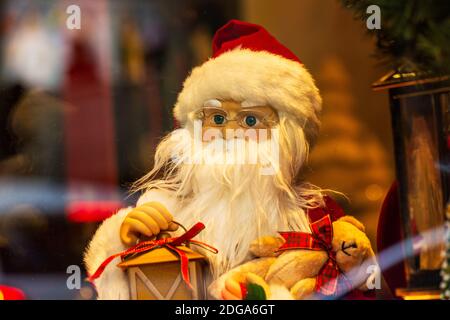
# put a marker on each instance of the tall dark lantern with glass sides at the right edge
(420, 121)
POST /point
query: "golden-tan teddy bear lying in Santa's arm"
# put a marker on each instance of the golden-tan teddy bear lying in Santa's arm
(297, 270)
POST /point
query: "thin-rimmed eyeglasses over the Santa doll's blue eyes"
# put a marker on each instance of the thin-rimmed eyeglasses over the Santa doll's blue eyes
(251, 118)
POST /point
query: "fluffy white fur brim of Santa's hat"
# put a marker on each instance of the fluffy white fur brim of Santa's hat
(257, 76)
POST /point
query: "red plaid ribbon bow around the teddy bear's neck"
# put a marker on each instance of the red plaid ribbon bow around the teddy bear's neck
(330, 281)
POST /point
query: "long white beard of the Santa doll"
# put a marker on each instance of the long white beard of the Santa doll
(235, 202)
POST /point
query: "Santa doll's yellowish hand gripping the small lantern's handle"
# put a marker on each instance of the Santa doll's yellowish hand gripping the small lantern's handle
(148, 220)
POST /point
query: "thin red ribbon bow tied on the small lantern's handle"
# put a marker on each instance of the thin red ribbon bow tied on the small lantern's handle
(170, 243)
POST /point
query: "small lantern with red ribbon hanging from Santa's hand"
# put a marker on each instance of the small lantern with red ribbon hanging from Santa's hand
(157, 267)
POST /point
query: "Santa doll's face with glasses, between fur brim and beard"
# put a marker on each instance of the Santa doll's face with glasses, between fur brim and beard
(232, 119)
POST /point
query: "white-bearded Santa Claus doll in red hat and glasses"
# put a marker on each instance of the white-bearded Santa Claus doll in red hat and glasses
(248, 117)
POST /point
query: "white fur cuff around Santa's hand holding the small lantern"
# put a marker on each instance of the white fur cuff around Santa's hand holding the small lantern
(113, 283)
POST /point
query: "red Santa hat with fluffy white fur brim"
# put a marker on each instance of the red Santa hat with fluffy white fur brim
(249, 64)
